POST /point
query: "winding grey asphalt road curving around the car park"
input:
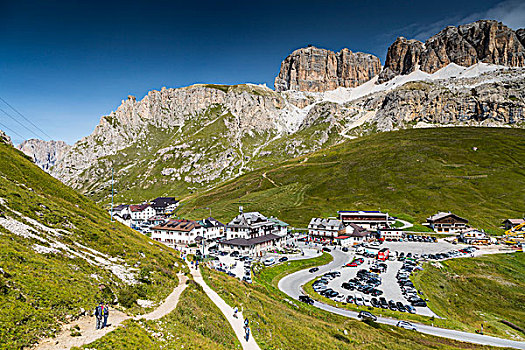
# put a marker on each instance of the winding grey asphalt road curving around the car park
(292, 286)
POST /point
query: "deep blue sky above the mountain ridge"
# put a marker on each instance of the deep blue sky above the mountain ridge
(65, 64)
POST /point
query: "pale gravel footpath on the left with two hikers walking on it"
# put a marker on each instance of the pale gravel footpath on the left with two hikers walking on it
(89, 334)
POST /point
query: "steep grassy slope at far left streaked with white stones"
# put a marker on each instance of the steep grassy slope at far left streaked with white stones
(59, 254)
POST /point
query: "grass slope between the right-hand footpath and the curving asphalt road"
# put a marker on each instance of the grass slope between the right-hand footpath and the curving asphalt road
(280, 323)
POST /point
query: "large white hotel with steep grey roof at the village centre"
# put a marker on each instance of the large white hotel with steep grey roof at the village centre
(250, 234)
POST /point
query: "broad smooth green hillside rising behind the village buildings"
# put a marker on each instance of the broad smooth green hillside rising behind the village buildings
(477, 173)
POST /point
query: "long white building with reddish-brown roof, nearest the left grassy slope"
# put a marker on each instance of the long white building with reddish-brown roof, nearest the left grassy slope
(180, 233)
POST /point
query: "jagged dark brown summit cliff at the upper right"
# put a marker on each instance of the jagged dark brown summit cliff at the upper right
(482, 41)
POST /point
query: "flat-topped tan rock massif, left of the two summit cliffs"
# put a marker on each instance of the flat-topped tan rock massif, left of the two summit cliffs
(318, 70)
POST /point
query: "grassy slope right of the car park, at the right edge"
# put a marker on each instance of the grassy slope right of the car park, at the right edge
(475, 291)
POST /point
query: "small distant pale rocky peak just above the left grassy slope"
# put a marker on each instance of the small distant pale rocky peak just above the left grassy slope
(45, 154)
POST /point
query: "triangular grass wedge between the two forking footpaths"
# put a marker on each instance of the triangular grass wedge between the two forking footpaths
(196, 323)
